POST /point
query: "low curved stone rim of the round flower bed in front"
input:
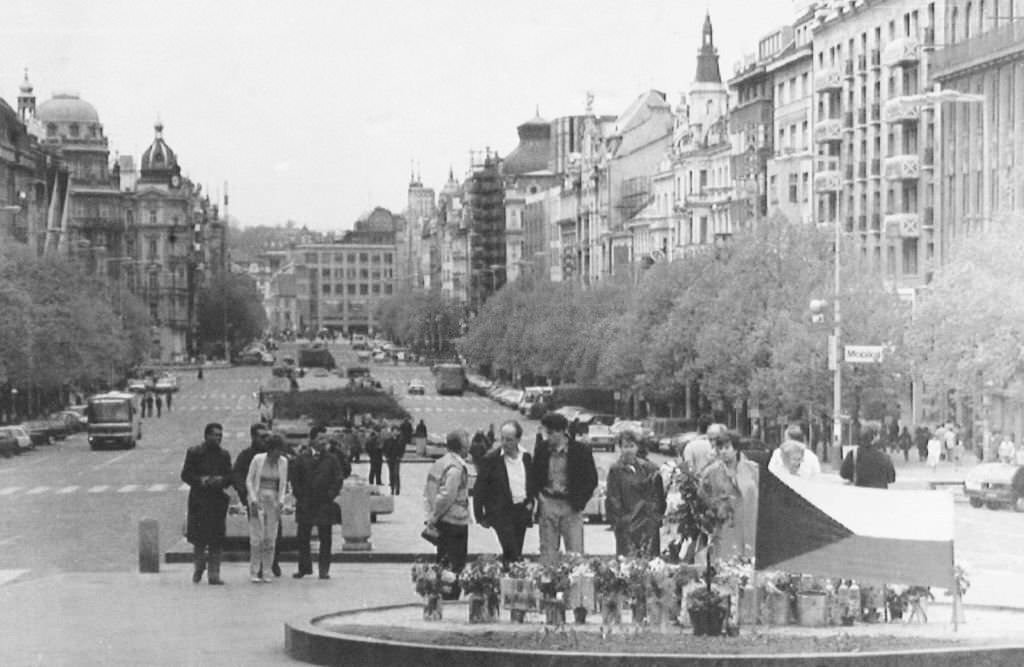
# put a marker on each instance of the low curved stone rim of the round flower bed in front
(309, 641)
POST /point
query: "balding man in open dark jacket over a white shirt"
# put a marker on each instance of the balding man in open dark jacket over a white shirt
(504, 495)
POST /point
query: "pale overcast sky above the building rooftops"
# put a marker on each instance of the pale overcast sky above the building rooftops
(312, 111)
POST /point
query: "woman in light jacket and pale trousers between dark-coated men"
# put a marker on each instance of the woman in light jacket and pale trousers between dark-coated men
(267, 484)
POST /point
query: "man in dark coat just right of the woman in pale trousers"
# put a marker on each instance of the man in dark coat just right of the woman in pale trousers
(317, 481)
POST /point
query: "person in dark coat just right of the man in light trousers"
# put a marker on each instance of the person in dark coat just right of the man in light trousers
(635, 502)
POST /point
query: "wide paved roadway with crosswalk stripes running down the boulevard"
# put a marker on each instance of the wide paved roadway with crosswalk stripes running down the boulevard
(68, 510)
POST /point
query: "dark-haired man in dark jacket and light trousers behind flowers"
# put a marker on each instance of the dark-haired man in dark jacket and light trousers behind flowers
(566, 478)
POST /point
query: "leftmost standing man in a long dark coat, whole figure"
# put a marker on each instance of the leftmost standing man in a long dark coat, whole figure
(208, 473)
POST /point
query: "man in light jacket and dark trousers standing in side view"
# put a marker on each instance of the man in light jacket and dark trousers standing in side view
(447, 496)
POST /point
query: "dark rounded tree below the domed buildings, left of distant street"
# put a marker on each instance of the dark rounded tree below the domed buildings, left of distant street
(230, 309)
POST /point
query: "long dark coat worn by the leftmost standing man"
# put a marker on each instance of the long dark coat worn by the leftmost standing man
(208, 472)
